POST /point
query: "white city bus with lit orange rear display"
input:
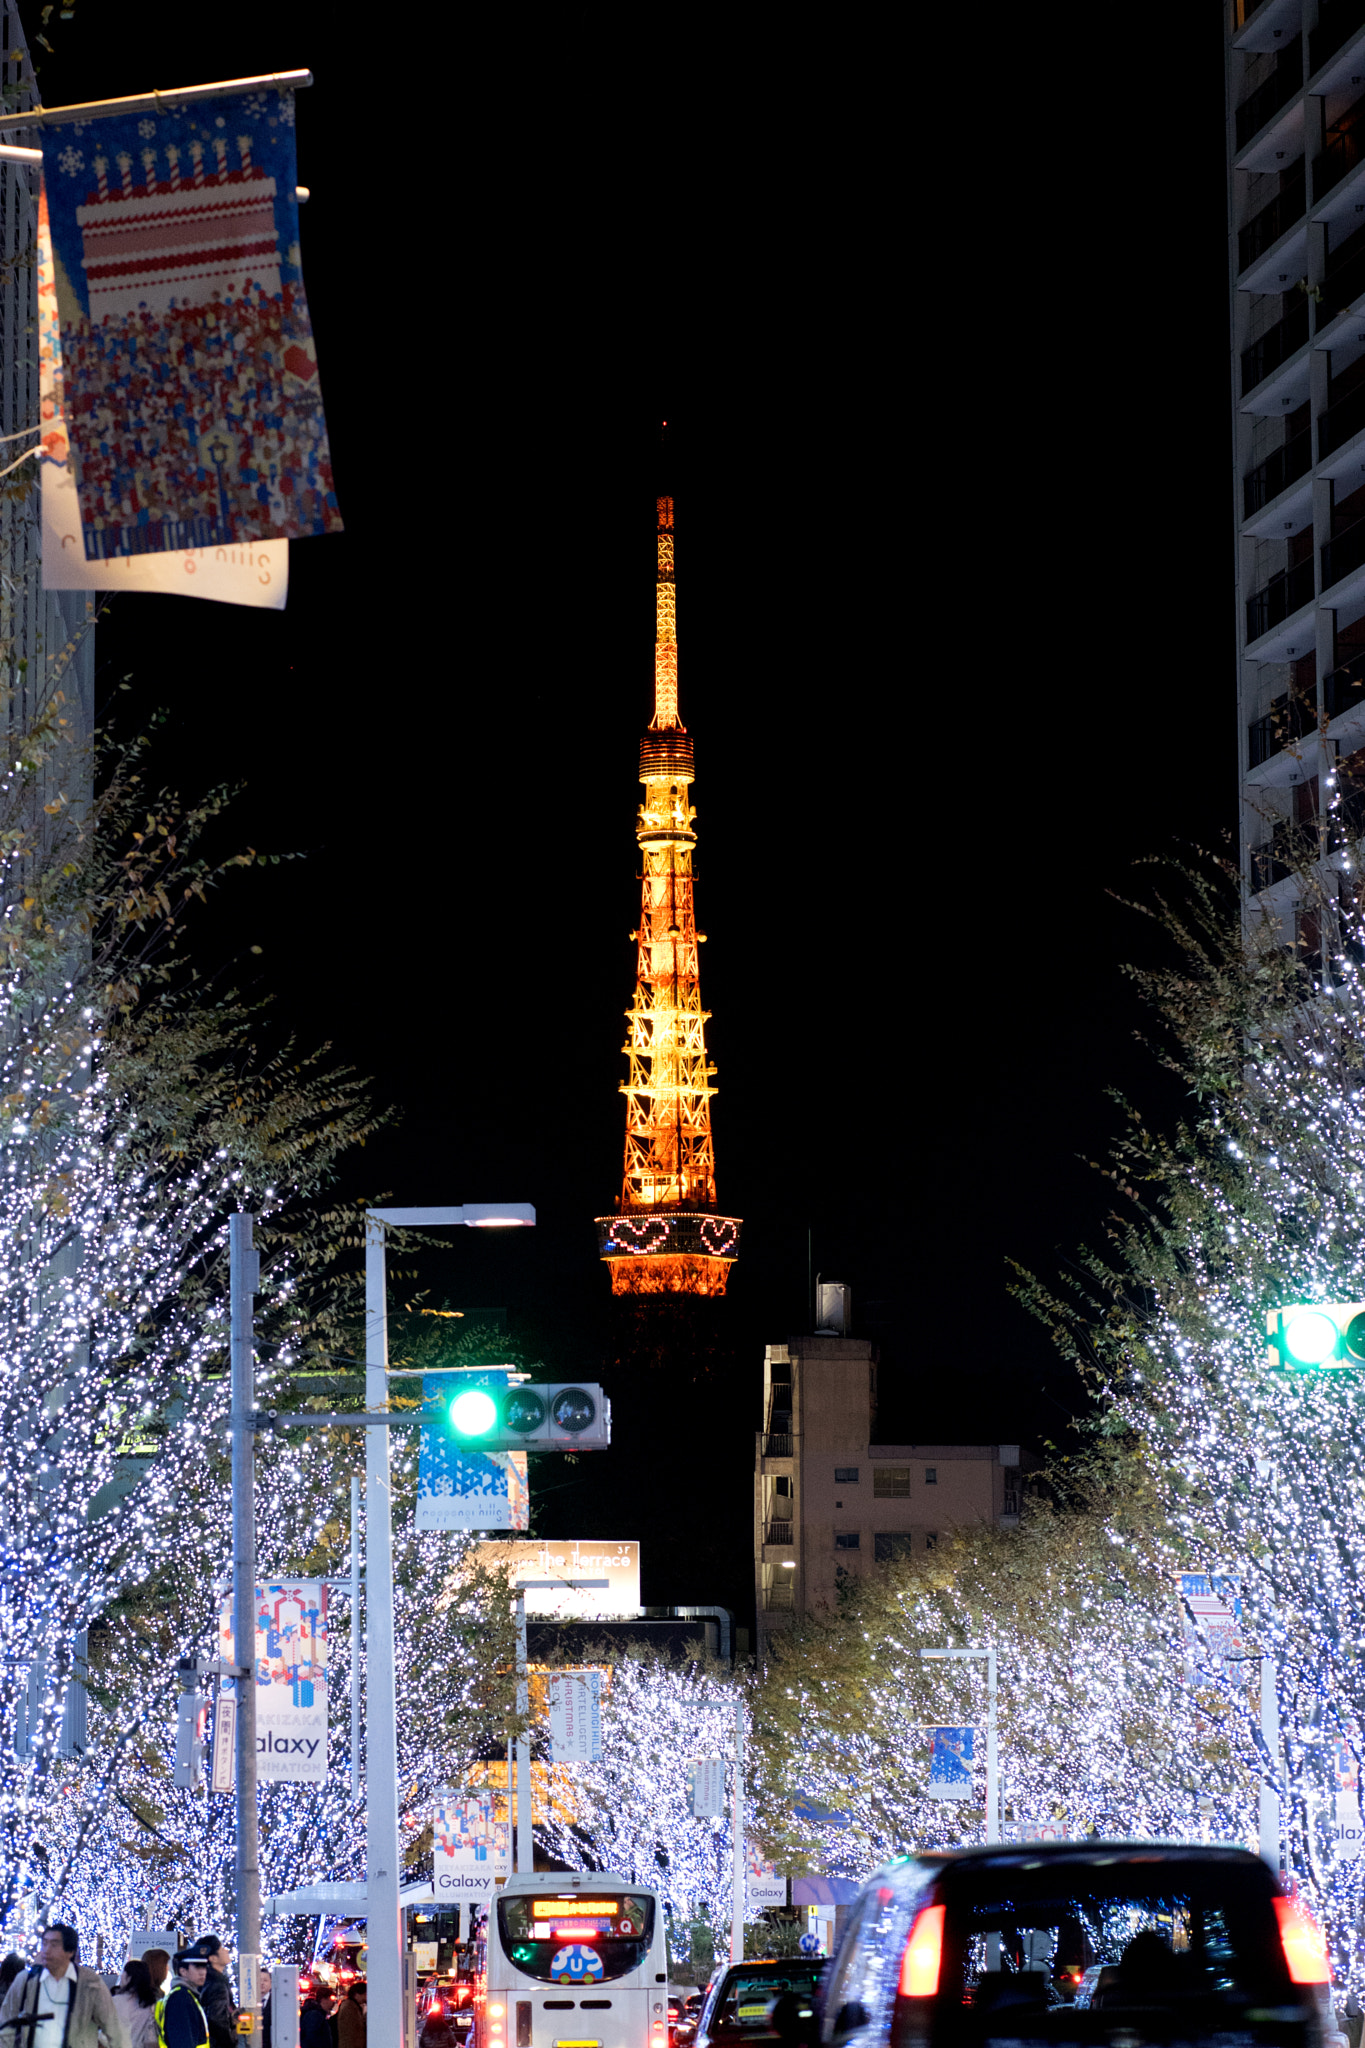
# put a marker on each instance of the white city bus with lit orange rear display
(576, 1963)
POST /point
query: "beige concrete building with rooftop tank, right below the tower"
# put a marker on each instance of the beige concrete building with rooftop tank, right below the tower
(830, 1500)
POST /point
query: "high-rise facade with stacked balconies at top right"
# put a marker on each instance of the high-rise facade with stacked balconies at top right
(1296, 194)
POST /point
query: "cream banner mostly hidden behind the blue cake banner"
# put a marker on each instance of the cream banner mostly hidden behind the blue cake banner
(253, 574)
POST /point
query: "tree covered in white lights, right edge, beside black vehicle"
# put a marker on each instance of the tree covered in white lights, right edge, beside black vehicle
(1251, 1205)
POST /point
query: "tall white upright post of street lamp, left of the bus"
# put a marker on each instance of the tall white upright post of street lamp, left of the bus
(382, 1775)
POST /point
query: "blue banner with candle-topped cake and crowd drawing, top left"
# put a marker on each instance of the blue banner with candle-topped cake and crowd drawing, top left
(191, 382)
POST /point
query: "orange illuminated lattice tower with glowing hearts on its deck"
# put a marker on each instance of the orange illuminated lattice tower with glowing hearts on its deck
(666, 1236)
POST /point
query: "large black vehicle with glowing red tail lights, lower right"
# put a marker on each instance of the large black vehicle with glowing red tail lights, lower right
(1077, 1943)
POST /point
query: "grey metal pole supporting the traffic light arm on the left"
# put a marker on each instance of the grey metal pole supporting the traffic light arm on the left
(245, 1279)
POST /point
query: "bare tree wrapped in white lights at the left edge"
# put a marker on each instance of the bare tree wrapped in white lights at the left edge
(134, 1115)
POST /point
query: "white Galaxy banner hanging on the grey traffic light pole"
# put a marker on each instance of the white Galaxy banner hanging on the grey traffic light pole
(292, 1678)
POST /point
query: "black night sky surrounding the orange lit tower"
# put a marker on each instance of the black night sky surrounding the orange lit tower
(955, 595)
